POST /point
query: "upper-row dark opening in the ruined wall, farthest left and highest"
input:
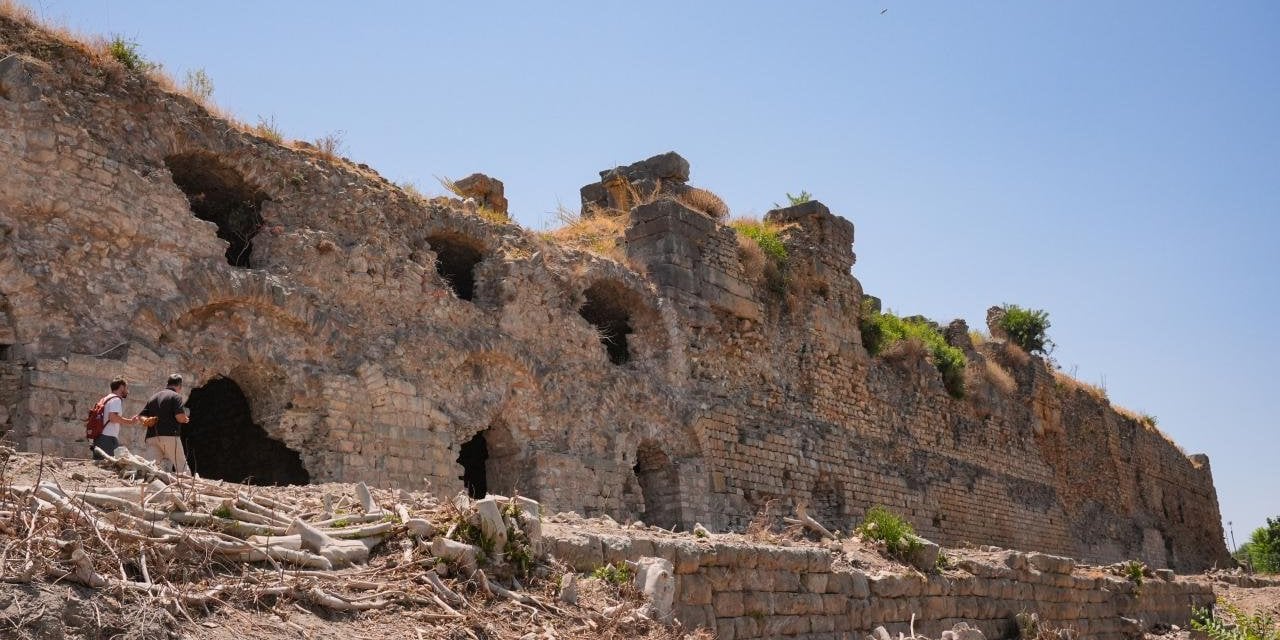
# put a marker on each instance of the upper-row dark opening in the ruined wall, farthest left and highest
(220, 194)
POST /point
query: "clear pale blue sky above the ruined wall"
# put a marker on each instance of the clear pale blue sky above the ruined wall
(1117, 164)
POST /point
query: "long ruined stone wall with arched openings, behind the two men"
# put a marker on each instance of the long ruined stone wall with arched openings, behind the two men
(335, 328)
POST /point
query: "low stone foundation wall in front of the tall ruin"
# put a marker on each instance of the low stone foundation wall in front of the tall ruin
(742, 589)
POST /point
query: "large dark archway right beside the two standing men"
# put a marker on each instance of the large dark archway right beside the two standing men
(223, 444)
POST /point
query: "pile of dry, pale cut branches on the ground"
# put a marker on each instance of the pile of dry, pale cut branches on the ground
(191, 545)
